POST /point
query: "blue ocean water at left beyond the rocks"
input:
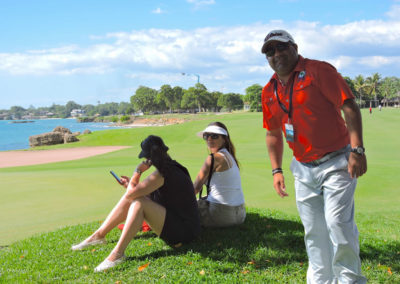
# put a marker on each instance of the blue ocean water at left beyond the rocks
(15, 136)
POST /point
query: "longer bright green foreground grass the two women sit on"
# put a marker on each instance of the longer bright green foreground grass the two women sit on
(267, 248)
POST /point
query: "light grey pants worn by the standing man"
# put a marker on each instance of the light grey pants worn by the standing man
(325, 200)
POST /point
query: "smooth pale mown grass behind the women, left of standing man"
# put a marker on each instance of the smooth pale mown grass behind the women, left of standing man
(45, 197)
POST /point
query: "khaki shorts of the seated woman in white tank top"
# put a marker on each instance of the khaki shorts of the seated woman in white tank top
(220, 215)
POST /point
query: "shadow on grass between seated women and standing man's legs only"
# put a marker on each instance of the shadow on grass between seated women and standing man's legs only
(261, 239)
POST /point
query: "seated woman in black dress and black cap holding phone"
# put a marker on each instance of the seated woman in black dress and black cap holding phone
(165, 200)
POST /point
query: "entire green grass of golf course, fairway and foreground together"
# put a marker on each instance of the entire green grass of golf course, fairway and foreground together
(46, 208)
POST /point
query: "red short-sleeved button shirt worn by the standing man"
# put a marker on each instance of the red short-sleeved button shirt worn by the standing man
(318, 94)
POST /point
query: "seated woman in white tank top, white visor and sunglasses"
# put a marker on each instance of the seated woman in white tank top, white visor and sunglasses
(224, 205)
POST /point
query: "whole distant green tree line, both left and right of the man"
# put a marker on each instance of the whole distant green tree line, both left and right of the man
(369, 91)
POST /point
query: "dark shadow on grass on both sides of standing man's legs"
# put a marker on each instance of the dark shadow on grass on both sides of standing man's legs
(270, 242)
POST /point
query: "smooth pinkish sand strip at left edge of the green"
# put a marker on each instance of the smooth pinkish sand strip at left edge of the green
(25, 158)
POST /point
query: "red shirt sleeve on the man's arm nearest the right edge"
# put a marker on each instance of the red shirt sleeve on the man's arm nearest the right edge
(332, 84)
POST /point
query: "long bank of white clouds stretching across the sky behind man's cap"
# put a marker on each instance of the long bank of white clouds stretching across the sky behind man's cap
(228, 56)
